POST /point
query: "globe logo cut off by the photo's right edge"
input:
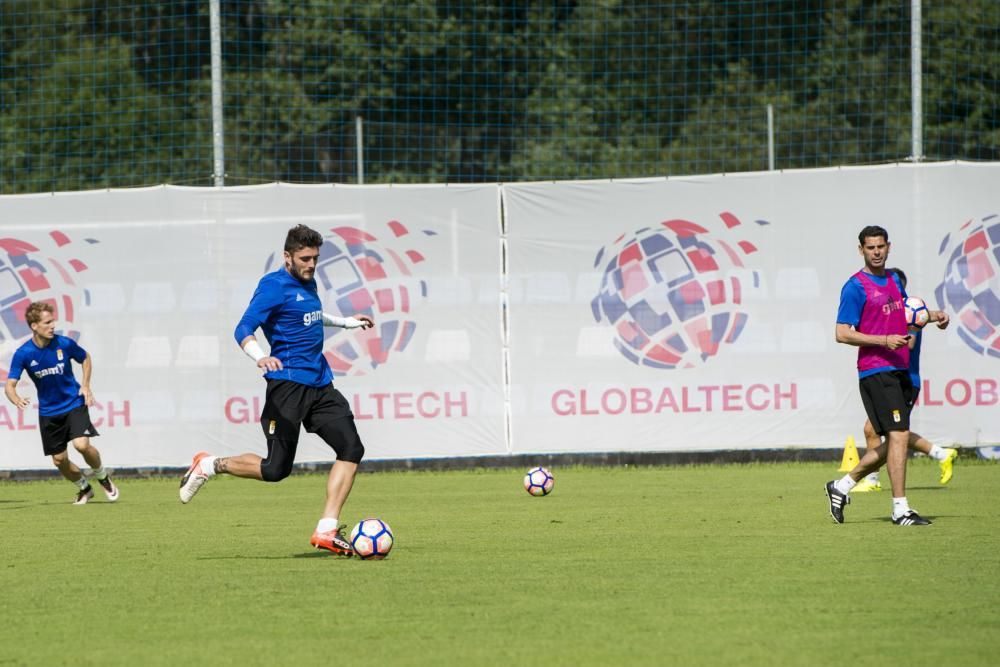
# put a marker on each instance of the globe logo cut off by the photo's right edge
(971, 285)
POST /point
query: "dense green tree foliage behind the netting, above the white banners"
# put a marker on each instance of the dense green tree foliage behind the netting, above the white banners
(100, 95)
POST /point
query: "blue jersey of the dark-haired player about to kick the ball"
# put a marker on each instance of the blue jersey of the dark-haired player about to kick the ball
(290, 314)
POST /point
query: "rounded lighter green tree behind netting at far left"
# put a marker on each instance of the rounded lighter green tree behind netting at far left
(89, 122)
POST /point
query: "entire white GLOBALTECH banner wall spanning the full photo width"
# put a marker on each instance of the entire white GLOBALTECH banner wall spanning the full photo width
(650, 315)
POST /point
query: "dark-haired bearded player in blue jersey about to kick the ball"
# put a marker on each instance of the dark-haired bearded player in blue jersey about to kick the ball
(287, 308)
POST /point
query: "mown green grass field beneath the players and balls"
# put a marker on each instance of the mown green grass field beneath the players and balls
(714, 565)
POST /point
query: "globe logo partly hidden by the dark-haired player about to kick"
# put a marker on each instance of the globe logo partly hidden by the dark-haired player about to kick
(359, 275)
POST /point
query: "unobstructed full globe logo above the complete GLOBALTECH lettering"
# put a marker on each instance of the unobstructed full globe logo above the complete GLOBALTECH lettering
(674, 292)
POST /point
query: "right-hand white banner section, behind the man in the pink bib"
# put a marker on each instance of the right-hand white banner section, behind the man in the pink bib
(699, 313)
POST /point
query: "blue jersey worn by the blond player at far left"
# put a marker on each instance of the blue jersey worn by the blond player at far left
(50, 369)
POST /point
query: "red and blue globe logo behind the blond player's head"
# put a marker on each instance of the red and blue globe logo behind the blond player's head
(32, 271)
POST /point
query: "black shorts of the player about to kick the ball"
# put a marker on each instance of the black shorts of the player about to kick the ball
(289, 405)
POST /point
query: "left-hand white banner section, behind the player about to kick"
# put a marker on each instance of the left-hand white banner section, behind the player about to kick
(152, 282)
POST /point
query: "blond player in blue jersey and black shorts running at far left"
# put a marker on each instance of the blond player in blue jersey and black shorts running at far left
(63, 414)
